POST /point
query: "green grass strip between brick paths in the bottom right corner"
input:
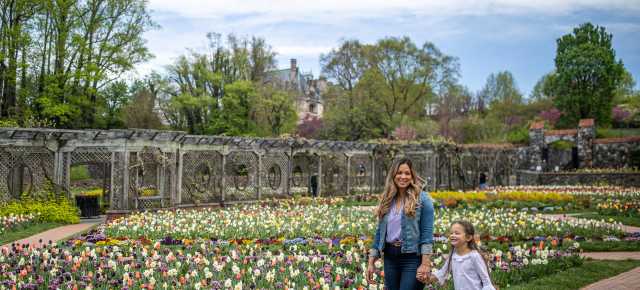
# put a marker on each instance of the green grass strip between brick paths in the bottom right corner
(575, 278)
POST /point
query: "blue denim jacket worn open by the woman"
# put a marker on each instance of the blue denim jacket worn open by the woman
(416, 233)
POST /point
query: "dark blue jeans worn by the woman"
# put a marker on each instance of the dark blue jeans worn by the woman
(400, 269)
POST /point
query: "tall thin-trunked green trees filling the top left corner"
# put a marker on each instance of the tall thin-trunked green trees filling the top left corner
(61, 57)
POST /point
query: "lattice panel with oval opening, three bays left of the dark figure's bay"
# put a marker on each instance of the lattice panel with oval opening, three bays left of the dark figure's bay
(201, 177)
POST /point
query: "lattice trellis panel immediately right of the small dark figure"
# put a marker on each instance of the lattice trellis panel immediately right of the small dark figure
(334, 174)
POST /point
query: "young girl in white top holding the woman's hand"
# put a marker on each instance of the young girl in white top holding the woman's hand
(468, 268)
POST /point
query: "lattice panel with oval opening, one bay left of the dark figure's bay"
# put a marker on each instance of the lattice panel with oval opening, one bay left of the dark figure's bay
(273, 180)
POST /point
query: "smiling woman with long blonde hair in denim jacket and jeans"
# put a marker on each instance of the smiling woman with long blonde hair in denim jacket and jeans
(405, 230)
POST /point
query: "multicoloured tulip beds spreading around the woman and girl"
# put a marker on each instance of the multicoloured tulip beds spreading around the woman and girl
(296, 244)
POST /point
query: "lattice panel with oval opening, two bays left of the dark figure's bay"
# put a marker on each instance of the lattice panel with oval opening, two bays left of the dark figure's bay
(241, 176)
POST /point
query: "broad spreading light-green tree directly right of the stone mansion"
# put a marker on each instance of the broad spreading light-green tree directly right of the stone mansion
(382, 86)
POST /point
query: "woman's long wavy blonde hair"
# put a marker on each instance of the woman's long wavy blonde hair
(412, 196)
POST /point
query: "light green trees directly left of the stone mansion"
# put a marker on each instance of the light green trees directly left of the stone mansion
(197, 84)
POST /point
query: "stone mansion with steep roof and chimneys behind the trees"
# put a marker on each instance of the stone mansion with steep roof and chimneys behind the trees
(308, 91)
